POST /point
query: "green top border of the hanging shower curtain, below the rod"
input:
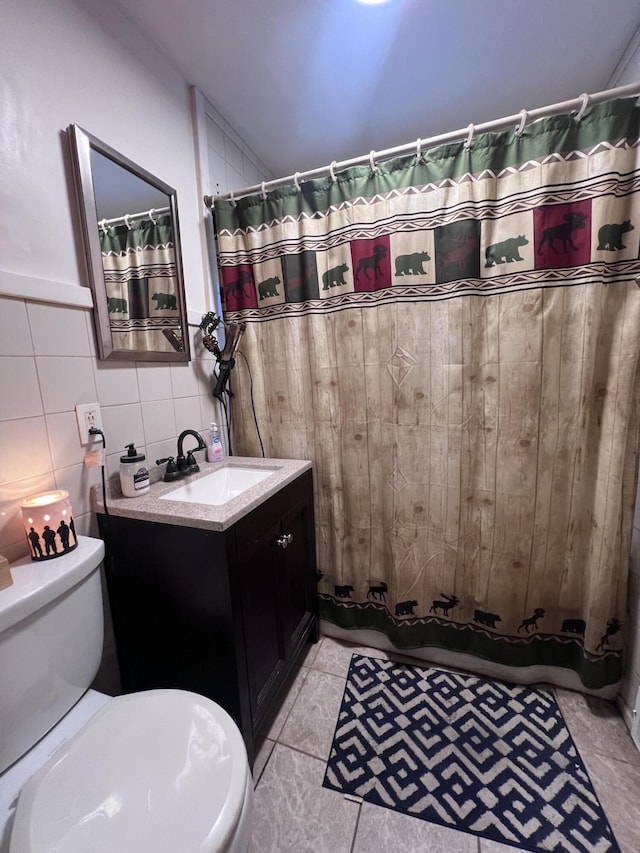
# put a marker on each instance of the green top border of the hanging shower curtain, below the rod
(611, 120)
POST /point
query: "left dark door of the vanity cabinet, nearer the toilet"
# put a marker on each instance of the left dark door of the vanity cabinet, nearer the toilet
(258, 569)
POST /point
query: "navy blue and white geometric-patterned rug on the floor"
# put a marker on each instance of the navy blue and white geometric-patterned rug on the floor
(477, 755)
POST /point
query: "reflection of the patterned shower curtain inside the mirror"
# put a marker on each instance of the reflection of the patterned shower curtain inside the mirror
(142, 288)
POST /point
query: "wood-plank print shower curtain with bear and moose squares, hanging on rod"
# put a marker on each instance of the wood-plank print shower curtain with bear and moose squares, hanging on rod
(452, 339)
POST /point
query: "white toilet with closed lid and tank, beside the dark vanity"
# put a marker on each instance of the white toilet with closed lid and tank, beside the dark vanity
(161, 770)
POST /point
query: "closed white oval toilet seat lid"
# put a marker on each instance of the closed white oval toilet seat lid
(163, 770)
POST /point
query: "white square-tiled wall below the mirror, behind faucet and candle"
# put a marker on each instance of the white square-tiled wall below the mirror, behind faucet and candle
(48, 364)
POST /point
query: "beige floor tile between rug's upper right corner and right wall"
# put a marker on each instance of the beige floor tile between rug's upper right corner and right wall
(597, 726)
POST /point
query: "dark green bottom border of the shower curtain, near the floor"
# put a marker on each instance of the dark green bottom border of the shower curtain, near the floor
(595, 673)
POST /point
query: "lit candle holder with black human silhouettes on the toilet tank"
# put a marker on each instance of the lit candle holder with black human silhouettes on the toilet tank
(48, 524)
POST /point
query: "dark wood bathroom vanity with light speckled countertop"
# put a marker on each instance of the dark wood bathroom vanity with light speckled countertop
(216, 599)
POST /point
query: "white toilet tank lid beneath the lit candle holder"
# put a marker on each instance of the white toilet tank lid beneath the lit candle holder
(38, 583)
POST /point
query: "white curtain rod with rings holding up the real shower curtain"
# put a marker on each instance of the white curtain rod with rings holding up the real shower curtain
(519, 120)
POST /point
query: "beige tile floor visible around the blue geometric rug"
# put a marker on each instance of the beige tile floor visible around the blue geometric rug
(293, 812)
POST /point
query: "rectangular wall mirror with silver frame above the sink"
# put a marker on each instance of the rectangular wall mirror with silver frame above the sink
(132, 242)
